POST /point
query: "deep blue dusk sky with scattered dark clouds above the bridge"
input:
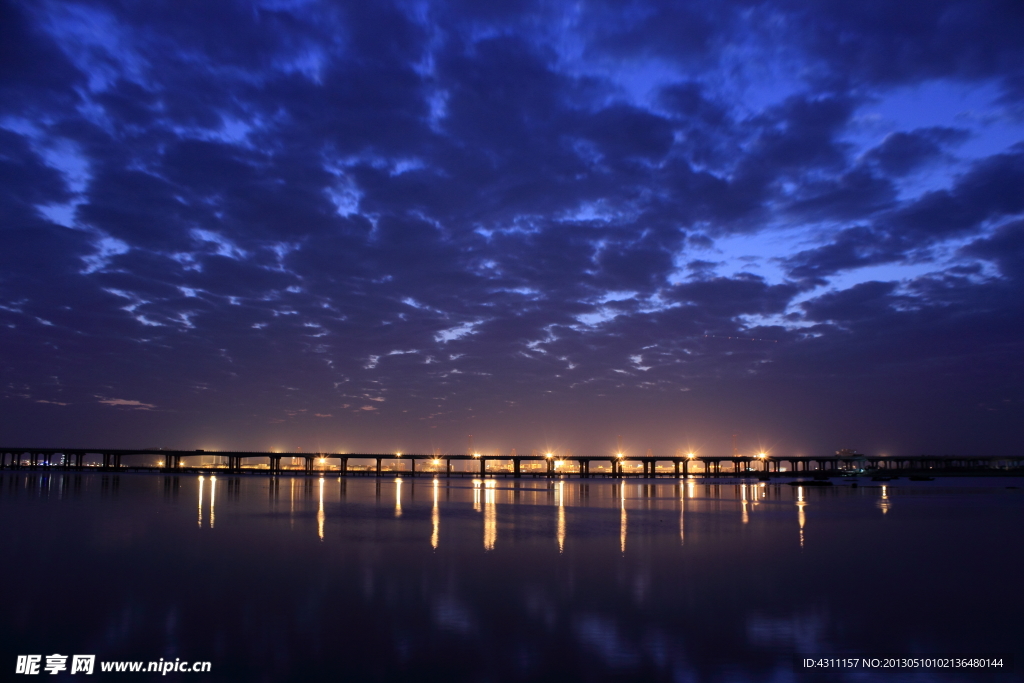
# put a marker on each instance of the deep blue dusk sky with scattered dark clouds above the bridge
(372, 228)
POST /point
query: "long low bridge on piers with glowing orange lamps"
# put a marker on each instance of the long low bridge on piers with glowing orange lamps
(534, 465)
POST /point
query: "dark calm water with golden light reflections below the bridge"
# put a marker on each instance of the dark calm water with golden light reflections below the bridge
(303, 579)
